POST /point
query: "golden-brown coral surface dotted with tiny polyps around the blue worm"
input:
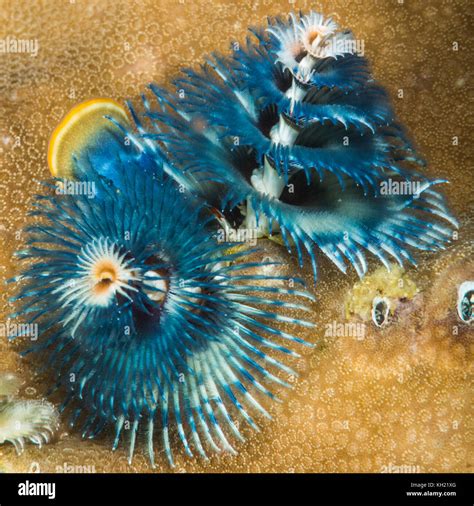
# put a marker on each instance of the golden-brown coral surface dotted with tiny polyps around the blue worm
(397, 398)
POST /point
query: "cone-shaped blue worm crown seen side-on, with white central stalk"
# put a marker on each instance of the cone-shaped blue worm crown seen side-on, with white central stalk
(291, 134)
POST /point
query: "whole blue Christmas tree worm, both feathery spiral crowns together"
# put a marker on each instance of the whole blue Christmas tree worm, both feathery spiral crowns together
(290, 135)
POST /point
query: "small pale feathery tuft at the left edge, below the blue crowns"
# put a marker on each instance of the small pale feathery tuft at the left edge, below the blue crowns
(22, 421)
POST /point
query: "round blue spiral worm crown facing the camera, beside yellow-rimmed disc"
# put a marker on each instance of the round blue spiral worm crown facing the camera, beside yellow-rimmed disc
(146, 320)
